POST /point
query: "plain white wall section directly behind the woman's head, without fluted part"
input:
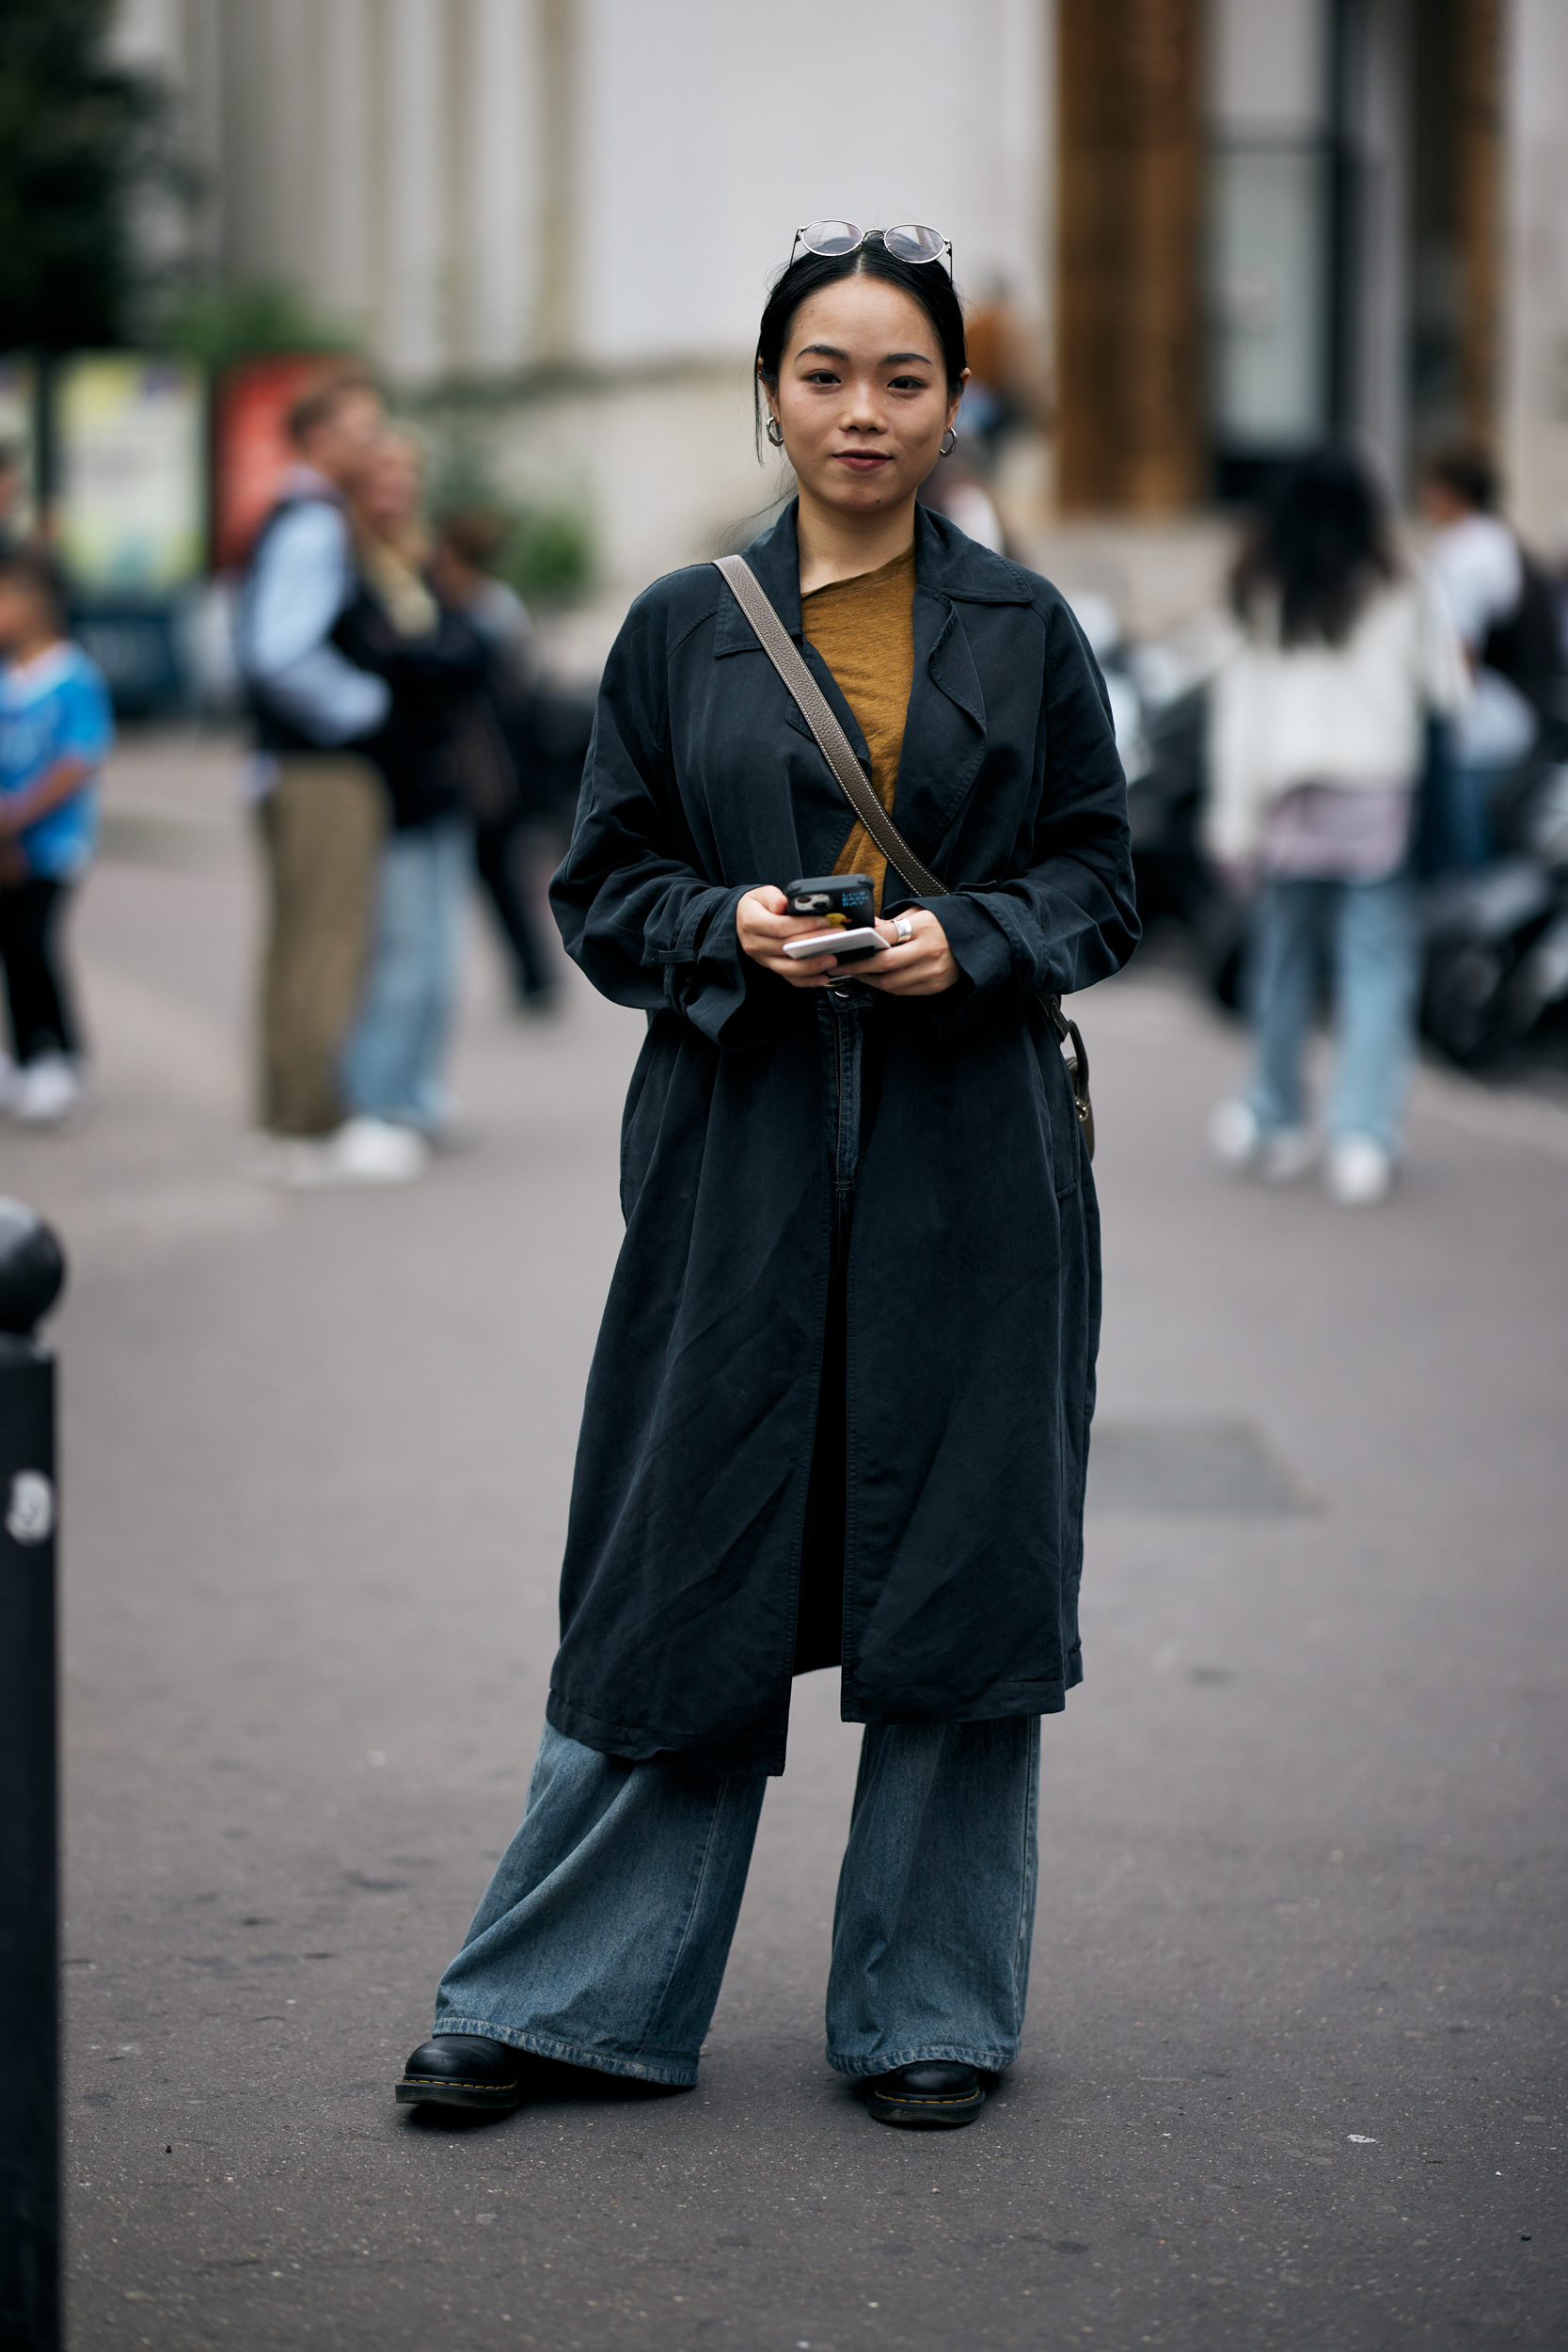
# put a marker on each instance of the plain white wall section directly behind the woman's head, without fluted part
(711, 133)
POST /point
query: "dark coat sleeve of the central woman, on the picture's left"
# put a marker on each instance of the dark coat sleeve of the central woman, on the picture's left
(631, 904)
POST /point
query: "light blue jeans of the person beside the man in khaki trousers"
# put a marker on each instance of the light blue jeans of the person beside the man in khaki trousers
(398, 1045)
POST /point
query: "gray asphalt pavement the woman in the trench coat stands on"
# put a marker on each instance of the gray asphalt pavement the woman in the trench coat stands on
(1294, 2071)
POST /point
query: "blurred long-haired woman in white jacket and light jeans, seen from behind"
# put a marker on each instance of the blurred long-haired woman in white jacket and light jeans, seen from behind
(1315, 751)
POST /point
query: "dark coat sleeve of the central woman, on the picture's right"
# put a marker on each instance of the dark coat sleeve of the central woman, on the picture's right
(1071, 916)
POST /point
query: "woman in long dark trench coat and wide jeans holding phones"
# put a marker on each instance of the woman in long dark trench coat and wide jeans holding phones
(843, 1389)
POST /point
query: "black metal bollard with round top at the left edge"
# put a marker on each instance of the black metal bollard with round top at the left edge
(32, 1271)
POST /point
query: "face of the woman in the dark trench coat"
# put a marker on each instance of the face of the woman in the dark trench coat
(862, 396)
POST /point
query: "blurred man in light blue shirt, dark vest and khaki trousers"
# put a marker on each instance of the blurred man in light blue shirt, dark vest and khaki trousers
(321, 799)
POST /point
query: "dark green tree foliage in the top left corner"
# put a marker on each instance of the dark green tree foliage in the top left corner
(79, 142)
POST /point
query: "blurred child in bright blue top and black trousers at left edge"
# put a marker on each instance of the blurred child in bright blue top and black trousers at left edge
(55, 730)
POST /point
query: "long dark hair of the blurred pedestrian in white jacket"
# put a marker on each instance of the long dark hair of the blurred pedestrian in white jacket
(1322, 549)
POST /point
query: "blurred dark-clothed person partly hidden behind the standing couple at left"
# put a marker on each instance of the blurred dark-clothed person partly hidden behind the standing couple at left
(492, 747)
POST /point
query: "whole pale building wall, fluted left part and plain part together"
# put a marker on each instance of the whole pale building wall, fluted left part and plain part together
(391, 159)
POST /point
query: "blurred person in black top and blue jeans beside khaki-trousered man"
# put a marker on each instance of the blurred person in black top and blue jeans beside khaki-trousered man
(434, 662)
